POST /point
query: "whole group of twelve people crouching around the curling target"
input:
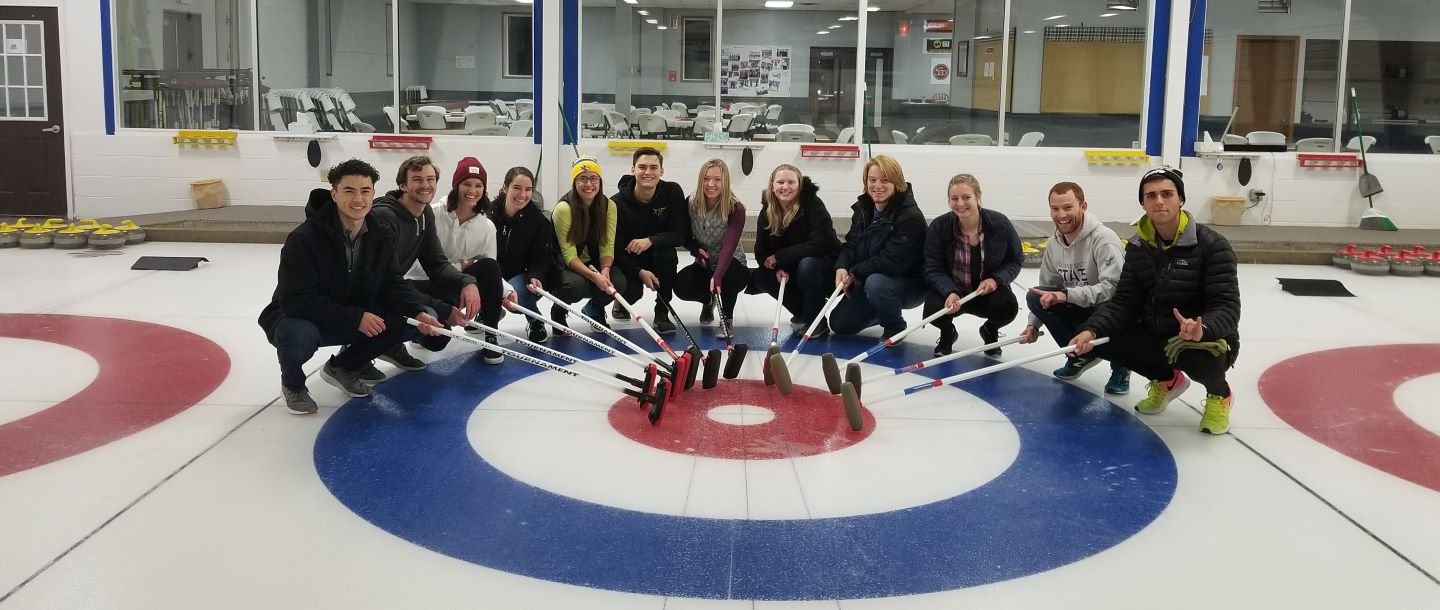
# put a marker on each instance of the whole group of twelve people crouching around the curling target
(1169, 301)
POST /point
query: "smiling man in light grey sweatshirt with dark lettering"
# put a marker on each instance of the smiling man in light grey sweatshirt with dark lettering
(1078, 273)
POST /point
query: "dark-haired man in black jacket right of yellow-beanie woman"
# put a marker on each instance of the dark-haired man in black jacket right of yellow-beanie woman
(653, 222)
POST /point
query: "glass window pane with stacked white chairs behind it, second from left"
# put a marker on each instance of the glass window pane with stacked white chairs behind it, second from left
(325, 65)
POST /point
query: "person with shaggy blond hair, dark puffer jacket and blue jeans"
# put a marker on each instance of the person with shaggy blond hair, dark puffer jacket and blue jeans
(883, 254)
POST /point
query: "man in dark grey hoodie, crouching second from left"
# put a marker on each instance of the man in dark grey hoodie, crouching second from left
(408, 214)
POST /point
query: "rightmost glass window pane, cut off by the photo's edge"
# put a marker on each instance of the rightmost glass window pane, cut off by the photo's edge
(1395, 68)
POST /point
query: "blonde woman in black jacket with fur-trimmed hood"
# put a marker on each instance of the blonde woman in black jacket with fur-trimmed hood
(796, 241)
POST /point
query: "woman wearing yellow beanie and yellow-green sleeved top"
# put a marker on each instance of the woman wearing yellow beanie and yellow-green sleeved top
(585, 229)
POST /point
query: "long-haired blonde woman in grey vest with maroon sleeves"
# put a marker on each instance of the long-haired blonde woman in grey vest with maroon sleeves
(716, 222)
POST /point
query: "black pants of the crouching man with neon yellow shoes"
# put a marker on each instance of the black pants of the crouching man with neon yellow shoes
(1144, 352)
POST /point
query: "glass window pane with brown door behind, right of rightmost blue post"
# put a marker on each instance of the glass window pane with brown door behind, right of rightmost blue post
(1275, 68)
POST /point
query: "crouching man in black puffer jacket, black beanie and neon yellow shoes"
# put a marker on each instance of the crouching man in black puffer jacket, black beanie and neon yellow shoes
(1176, 314)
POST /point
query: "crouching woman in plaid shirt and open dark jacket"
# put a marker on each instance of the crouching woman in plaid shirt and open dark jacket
(971, 250)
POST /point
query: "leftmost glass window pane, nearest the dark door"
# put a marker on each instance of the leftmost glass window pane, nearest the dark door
(185, 67)
